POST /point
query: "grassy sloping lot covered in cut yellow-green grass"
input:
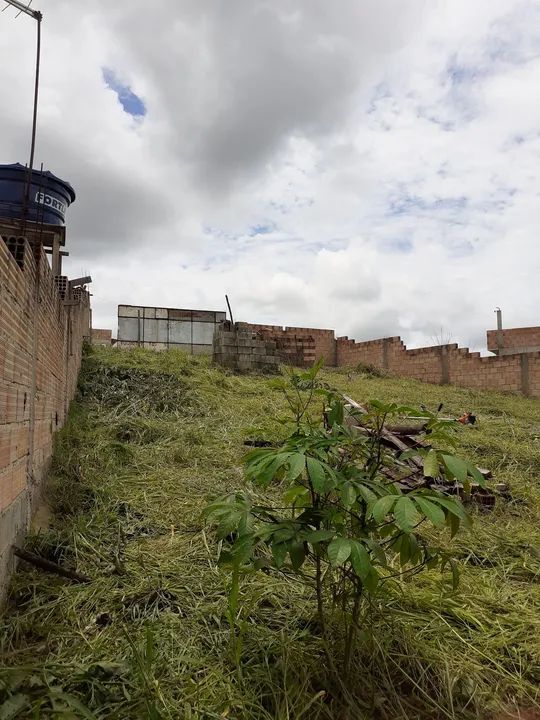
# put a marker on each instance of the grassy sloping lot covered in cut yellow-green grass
(150, 439)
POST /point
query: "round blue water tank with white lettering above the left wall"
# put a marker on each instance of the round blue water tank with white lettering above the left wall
(49, 196)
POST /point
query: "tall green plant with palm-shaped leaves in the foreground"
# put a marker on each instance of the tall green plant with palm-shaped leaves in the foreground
(344, 524)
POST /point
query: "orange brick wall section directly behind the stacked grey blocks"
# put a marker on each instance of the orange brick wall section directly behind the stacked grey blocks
(307, 343)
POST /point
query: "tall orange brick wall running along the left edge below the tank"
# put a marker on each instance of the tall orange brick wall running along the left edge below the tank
(41, 339)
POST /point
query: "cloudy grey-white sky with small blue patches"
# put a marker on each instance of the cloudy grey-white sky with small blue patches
(371, 167)
